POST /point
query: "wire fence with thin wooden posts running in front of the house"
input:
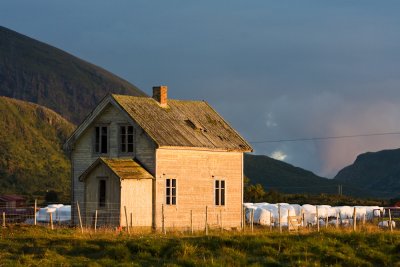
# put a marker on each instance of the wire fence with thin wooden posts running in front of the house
(90, 217)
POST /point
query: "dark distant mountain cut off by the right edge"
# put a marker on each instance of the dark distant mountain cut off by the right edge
(375, 172)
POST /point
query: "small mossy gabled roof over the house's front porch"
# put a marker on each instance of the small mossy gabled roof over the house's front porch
(122, 168)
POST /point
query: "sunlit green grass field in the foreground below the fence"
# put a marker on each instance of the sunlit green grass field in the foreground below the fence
(39, 246)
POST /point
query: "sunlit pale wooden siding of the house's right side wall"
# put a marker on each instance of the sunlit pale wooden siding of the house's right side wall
(196, 172)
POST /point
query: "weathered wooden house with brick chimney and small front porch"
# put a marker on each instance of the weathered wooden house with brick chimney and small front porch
(157, 158)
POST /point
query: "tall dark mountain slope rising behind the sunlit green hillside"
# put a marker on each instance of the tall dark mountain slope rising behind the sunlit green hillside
(36, 72)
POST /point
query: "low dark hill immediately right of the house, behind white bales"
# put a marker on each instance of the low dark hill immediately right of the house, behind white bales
(284, 177)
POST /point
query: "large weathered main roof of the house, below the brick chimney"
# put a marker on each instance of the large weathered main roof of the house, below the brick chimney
(189, 124)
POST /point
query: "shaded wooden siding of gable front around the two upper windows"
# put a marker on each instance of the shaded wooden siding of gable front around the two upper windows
(82, 155)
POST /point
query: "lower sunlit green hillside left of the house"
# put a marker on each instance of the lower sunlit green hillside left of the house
(31, 157)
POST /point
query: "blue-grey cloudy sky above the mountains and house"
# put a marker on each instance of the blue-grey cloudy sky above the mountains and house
(275, 70)
